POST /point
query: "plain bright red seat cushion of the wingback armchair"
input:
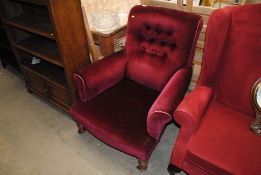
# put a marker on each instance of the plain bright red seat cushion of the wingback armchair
(224, 144)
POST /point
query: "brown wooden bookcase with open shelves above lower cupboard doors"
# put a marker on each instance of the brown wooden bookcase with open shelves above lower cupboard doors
(52, 31)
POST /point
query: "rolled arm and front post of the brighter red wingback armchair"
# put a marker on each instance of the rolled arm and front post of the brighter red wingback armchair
(188, 115)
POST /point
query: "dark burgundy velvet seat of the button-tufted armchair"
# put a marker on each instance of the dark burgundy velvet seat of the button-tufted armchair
(118, 117)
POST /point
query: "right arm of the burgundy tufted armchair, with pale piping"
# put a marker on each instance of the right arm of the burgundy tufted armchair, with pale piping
(161, 111)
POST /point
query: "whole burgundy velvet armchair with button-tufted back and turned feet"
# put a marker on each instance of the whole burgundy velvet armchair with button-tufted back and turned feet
(126, 99)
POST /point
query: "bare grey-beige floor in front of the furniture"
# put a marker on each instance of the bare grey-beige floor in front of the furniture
(38, 139)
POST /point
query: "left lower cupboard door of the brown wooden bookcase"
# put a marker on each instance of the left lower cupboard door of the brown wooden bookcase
(36, 82)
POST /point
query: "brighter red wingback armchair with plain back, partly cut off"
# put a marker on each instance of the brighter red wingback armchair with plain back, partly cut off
(215, 137)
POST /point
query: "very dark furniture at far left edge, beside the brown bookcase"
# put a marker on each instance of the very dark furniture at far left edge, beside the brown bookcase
(7, 56)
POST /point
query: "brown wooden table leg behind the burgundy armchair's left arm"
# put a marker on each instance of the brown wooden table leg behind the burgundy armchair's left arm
(106, 45)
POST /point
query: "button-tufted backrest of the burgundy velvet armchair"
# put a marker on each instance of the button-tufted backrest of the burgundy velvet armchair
(158, 43)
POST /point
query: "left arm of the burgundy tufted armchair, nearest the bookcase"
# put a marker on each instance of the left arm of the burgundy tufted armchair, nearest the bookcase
(95, 78)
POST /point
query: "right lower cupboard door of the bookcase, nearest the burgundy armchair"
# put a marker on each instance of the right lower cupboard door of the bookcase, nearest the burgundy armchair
(59, 94)
